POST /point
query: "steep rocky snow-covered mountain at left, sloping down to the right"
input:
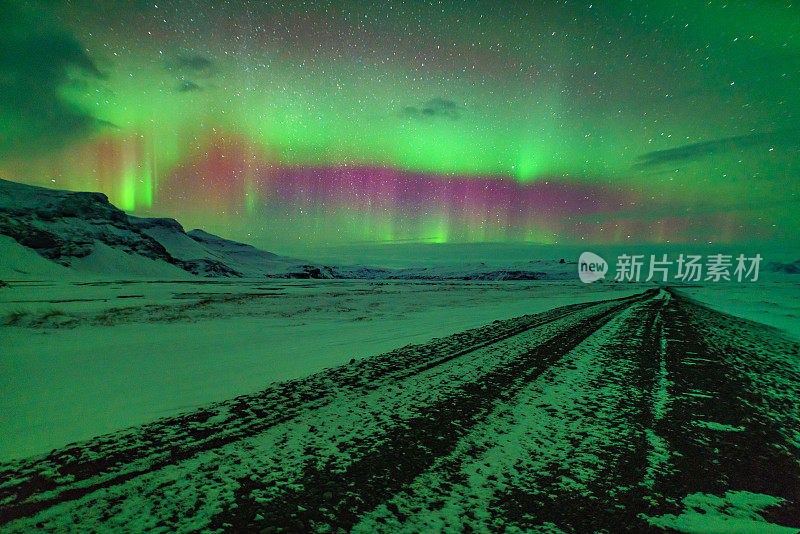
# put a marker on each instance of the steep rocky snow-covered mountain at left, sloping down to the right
(87, 234)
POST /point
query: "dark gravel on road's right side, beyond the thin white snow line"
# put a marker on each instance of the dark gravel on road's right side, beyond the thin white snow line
(723, 430)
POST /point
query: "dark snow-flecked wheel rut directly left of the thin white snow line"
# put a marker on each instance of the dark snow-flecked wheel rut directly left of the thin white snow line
(582, 497)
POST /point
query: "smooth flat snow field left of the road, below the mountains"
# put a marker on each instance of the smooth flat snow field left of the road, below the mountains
(81, 359)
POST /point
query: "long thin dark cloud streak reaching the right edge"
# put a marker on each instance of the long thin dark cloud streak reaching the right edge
(698, 151)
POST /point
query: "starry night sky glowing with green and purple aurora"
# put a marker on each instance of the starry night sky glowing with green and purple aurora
(301, 124)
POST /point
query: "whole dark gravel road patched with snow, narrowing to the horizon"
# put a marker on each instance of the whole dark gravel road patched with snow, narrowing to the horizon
(644, 413)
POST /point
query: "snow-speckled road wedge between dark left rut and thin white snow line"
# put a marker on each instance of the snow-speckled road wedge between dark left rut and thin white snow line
(558, 451)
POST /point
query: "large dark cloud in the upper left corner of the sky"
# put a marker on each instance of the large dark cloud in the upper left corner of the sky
(37, 58)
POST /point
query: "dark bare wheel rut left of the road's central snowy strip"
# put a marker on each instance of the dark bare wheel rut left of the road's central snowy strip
(407, 449)
